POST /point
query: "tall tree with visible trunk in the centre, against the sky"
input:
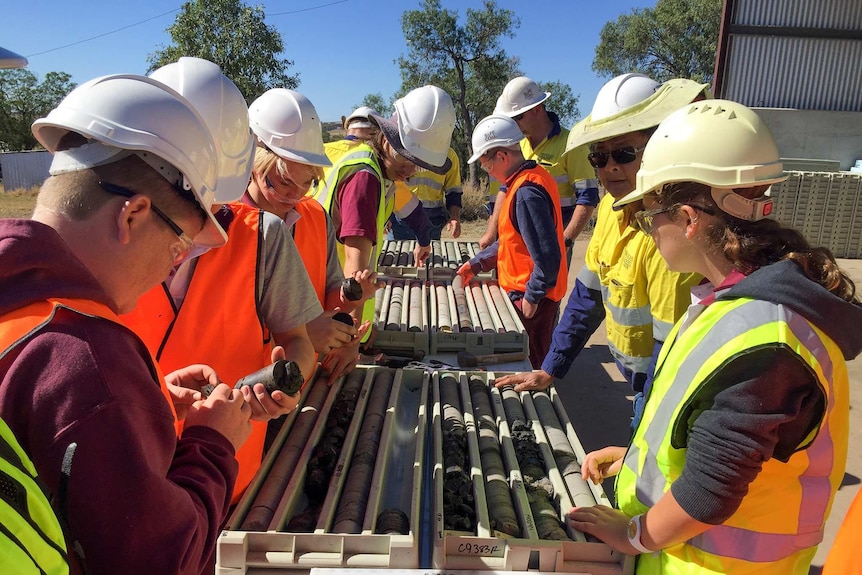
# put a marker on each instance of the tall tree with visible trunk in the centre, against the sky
(465, 59)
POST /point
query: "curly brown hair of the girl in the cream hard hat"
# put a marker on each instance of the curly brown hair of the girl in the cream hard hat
(753, 245)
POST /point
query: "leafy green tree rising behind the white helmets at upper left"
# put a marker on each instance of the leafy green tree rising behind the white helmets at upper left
(235, 37)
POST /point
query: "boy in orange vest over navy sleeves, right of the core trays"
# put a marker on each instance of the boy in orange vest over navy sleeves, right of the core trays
(530, 253)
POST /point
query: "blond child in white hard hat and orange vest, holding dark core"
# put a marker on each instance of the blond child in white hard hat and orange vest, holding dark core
(288, 160)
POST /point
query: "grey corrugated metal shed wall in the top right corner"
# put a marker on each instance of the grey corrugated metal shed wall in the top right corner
(795, 54)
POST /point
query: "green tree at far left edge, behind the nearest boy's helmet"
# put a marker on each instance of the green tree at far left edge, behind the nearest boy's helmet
(24, 99)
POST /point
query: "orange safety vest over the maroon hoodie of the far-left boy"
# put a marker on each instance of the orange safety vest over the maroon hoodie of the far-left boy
(20, 324)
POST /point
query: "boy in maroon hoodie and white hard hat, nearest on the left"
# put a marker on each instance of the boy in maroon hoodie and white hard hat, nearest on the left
(134, 175)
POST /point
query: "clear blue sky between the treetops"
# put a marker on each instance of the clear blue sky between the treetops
(342, 50)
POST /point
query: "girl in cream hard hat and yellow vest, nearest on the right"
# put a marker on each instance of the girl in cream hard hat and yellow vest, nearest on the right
(743, 440)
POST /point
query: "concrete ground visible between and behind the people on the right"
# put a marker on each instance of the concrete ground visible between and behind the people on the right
(599, 405)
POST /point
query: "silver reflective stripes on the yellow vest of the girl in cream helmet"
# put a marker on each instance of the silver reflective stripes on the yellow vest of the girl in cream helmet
(651, 484)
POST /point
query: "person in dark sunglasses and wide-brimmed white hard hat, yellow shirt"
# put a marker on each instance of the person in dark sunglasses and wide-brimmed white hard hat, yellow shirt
(623, 281)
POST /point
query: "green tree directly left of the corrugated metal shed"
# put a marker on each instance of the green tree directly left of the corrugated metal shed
(676, 39)
